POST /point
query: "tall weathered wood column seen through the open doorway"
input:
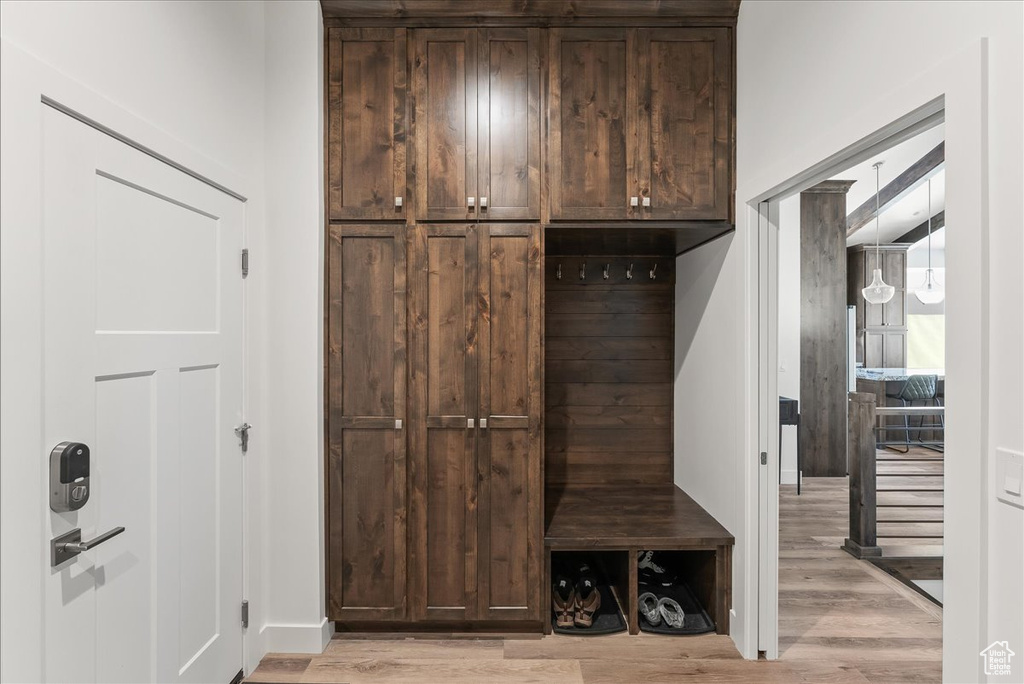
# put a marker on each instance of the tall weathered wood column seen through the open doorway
(823, 329)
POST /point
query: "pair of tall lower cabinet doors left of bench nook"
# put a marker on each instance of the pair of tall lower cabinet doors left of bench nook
(476, 504)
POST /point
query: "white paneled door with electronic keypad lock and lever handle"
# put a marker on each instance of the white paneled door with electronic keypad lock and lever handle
(143, 363)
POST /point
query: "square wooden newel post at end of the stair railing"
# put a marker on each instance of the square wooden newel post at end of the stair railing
(864, 529)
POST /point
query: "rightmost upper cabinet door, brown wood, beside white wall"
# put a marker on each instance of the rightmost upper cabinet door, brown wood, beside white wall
(686, 135)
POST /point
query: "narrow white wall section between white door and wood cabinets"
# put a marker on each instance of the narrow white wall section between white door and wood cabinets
(293, 496)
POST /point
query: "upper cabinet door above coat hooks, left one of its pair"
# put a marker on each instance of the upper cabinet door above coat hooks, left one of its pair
(591, 164)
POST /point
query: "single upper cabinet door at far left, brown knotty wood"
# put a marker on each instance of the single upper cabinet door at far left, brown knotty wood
(367, 117)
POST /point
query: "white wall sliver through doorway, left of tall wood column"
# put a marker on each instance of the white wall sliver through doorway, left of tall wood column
(789, 323)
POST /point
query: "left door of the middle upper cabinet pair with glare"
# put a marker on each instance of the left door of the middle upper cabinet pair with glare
(445, 83)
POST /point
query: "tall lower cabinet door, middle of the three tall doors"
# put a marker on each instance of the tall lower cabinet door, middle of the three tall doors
(445, 399)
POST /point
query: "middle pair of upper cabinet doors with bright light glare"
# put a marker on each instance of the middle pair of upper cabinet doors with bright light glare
(478, 124)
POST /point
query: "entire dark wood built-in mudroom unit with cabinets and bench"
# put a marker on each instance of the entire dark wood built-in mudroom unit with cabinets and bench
(506, 194)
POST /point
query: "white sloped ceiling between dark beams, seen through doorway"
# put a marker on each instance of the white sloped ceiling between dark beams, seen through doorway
(911, 210)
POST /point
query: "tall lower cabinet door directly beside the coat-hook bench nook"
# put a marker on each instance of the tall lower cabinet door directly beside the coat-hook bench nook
(510, 524)
